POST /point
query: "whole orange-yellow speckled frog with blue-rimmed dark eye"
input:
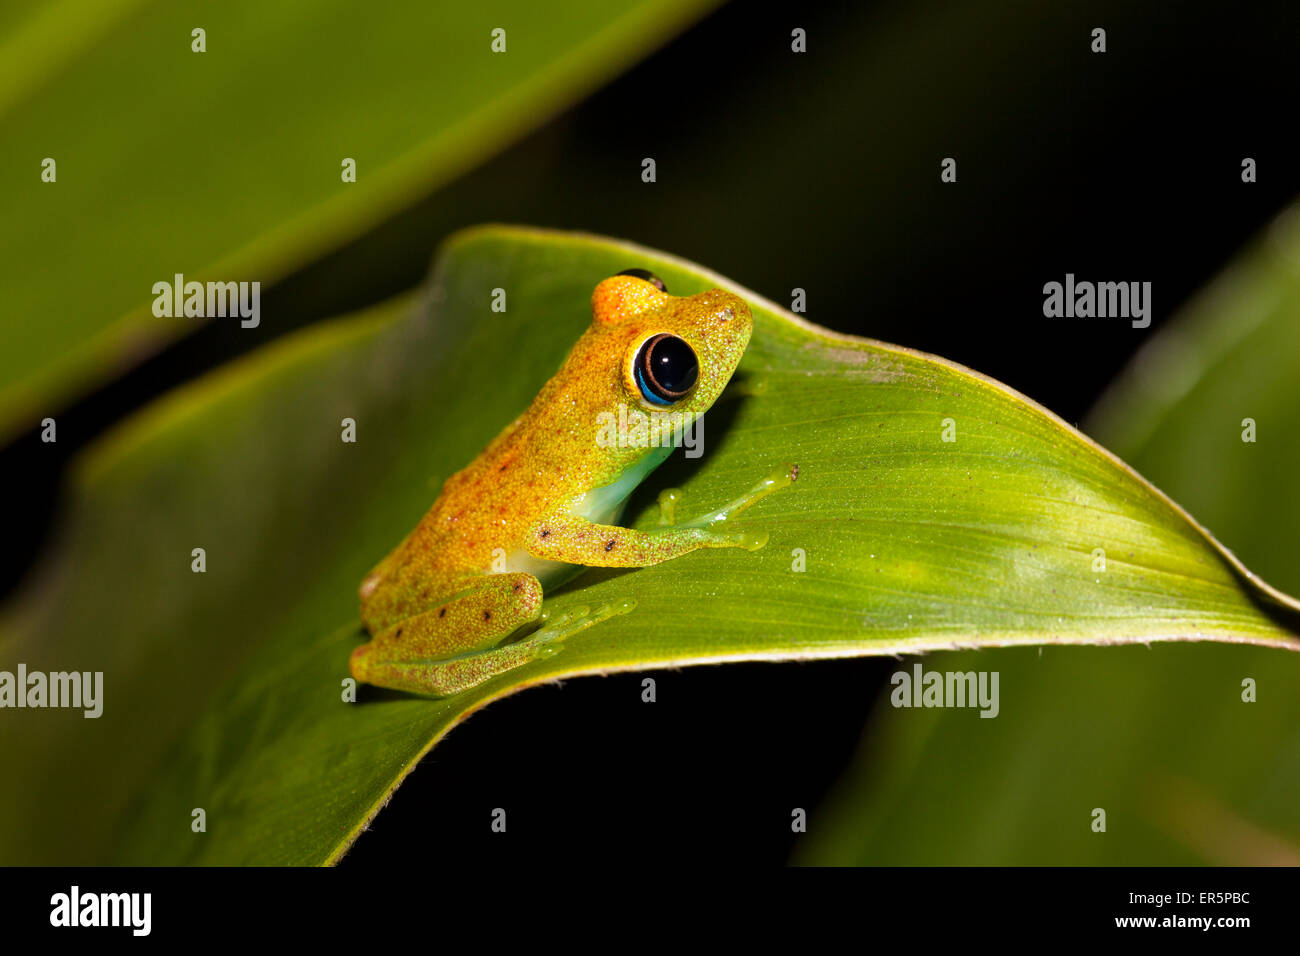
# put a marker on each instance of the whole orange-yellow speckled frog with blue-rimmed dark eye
(460, 600)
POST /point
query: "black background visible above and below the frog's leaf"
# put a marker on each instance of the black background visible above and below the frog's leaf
(1121, 167)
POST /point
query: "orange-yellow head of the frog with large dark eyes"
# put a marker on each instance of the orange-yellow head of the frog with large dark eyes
(674, 353)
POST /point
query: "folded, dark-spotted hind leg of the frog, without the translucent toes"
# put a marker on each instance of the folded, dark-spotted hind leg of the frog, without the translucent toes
(445, 650)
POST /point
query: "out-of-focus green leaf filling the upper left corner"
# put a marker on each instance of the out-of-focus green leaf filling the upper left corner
(227, 165)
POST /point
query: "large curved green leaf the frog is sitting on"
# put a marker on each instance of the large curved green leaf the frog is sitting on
(224, 689)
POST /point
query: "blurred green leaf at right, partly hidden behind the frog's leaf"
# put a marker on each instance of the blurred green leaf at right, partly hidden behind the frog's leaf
(1162, 738)
